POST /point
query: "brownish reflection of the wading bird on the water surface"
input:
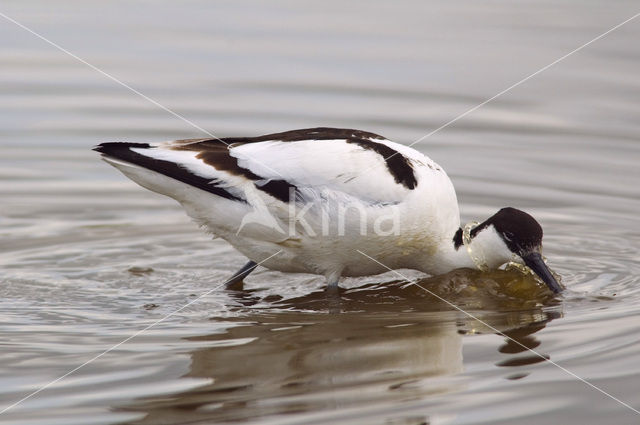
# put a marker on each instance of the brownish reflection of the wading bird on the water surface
(389, 343)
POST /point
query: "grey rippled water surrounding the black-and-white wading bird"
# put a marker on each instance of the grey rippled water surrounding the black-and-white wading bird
(88, 259)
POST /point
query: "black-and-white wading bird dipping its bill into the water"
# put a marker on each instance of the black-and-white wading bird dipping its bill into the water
(321, 200)
